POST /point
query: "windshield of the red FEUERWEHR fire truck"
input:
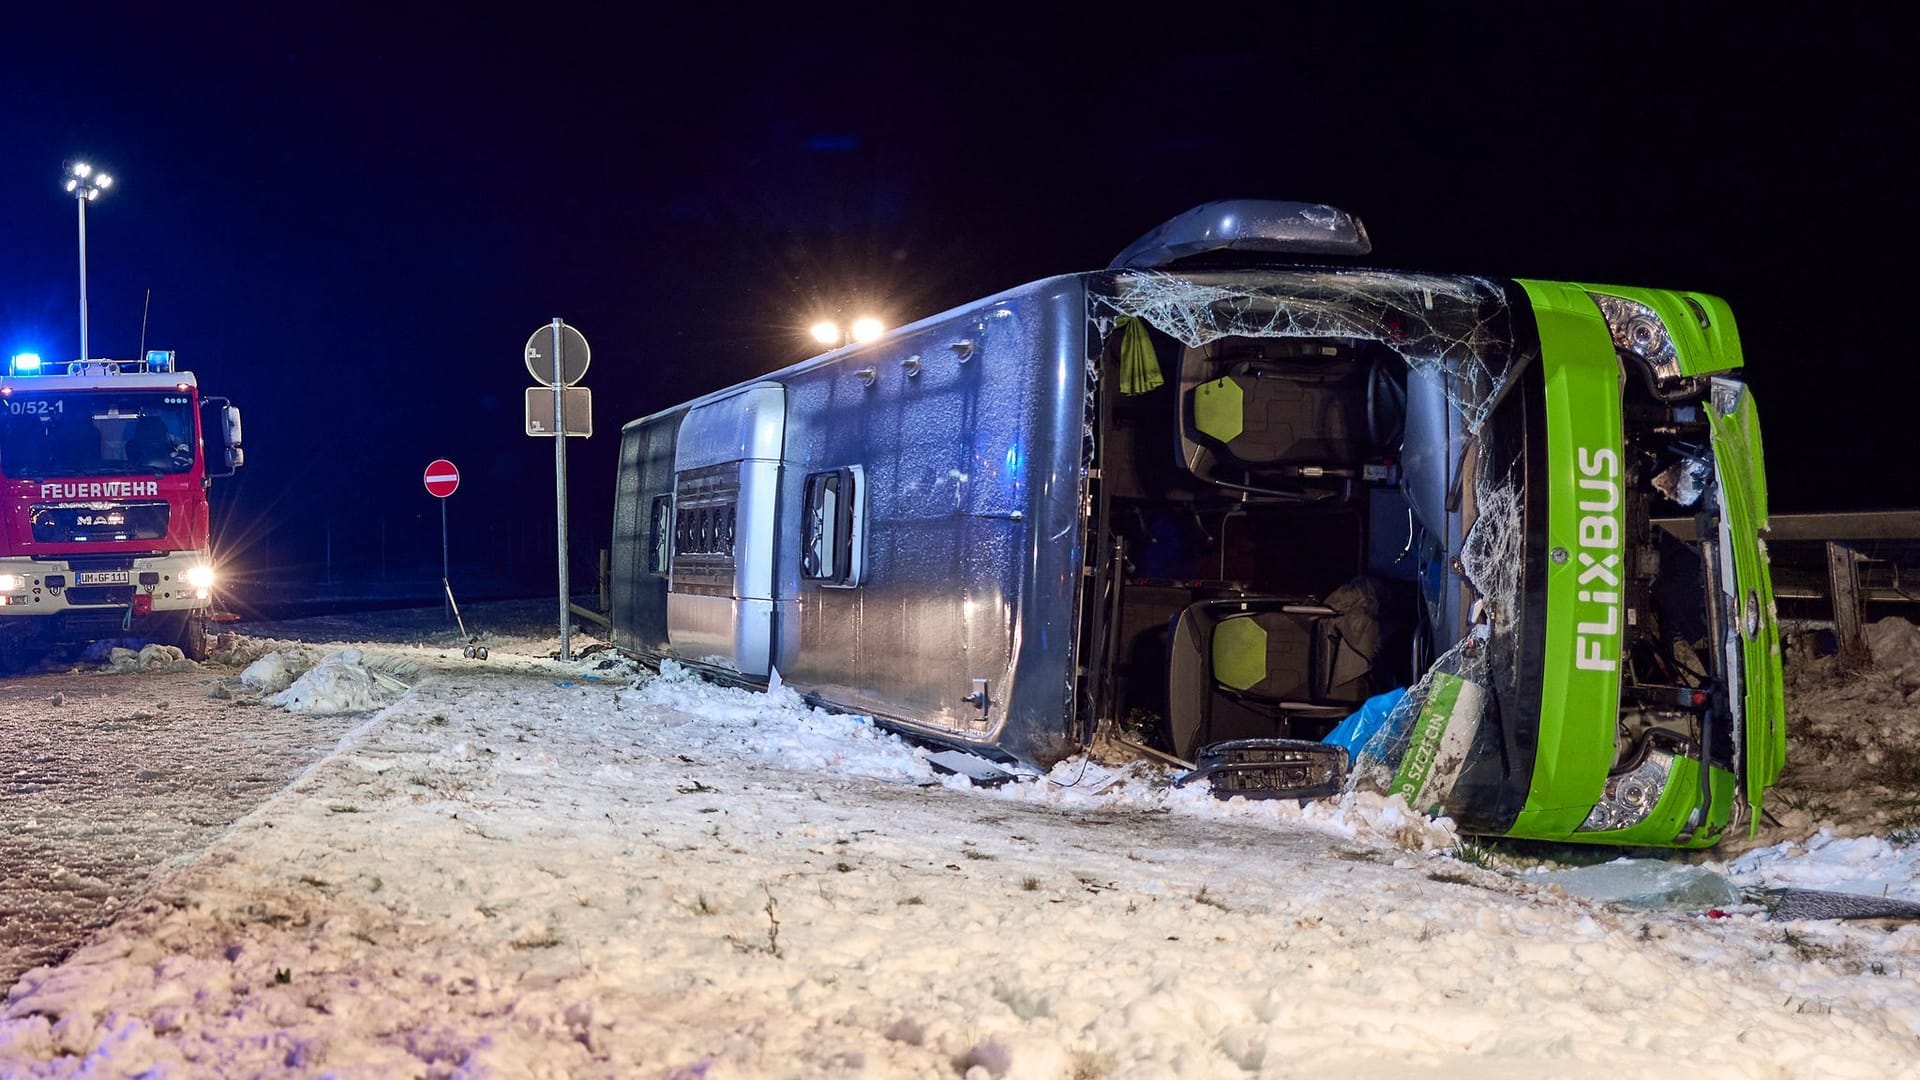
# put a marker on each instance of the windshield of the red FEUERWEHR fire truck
(95, 433)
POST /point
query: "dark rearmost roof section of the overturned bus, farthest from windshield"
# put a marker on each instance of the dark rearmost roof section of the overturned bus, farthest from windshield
(638, 579)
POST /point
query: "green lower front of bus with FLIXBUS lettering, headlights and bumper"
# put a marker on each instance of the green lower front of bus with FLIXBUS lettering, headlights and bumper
(1660, 691)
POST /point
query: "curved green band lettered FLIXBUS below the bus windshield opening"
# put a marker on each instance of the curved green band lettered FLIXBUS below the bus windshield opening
(1579, 708)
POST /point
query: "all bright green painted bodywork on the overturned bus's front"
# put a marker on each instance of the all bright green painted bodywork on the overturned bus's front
(1579, 706)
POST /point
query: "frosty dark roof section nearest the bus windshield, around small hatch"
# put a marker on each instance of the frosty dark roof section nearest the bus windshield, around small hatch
(961, 437)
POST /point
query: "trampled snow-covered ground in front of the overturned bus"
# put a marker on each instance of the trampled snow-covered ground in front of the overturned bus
(527, 868)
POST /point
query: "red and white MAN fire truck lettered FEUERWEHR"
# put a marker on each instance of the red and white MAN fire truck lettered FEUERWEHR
(105, 474)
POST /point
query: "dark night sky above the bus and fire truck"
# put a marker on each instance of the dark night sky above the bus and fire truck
(350, 226)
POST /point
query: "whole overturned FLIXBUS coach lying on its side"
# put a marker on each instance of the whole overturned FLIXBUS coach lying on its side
(1234, 495)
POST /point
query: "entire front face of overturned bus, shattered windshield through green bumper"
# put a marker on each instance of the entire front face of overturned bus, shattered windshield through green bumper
(1420, 518)
